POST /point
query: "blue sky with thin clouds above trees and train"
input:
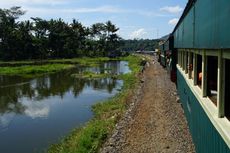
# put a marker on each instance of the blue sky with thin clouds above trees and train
(136, 19)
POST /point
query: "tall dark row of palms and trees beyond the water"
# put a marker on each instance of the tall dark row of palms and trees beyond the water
(41, 39)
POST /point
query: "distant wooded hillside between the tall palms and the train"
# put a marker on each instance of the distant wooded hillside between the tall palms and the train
(139, 45)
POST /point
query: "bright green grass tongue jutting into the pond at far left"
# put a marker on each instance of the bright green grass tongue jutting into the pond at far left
(34, 70)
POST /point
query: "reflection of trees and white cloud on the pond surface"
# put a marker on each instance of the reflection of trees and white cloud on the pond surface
(26, 96)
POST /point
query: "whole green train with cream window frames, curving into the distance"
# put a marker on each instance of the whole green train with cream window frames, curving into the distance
(197, 55)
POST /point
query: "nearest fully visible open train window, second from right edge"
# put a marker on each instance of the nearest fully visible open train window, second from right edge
(212, 64)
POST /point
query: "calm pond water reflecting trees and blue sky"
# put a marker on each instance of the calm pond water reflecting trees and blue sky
(37, 112)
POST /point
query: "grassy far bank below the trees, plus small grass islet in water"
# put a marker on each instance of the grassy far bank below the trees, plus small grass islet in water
(36, 68)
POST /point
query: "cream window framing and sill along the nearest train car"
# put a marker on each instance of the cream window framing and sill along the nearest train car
(215, 113)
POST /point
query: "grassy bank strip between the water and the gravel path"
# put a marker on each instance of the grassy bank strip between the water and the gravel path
(93, 134)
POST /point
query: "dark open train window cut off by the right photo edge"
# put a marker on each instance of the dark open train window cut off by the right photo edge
(227, 89)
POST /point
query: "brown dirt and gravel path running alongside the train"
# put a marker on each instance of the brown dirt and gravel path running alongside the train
(157, 123)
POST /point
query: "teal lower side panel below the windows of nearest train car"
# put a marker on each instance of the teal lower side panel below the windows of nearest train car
(205, 137)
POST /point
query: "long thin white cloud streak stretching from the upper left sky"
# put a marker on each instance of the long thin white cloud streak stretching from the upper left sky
(50, 8)
